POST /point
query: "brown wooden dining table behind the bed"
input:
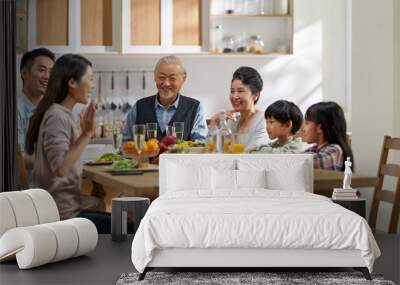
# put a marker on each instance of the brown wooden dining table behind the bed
(146, 184)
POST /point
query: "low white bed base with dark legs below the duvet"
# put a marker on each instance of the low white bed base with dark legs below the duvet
(259, 259)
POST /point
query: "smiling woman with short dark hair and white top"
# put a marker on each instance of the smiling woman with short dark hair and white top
(246, 86)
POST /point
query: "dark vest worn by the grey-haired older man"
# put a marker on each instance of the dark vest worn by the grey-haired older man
(186, 112)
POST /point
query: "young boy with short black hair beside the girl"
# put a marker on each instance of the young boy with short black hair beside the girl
(284, 119)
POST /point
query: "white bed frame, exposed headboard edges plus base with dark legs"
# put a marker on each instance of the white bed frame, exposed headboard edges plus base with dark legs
(242, 259)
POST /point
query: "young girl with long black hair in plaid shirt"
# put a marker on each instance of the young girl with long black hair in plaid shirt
(325, 126)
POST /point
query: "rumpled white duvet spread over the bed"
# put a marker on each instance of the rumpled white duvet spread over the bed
(252, 218)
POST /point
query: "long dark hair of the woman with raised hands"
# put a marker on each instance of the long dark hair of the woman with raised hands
(67, 67)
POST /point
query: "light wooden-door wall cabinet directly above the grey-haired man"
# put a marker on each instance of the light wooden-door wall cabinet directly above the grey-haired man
(162, 26)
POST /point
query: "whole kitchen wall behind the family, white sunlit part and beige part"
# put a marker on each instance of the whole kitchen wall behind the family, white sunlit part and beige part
(316, 71)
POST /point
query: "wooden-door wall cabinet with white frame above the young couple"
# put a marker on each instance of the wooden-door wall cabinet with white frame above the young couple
(81, 26)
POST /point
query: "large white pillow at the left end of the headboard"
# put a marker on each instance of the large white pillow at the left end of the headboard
(182, 177)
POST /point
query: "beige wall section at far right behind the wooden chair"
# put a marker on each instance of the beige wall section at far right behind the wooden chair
(375, 92)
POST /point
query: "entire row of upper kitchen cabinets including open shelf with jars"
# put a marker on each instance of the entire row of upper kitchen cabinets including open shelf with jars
(162, 26)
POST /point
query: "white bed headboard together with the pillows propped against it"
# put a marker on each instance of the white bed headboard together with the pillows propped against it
(291, 172)
